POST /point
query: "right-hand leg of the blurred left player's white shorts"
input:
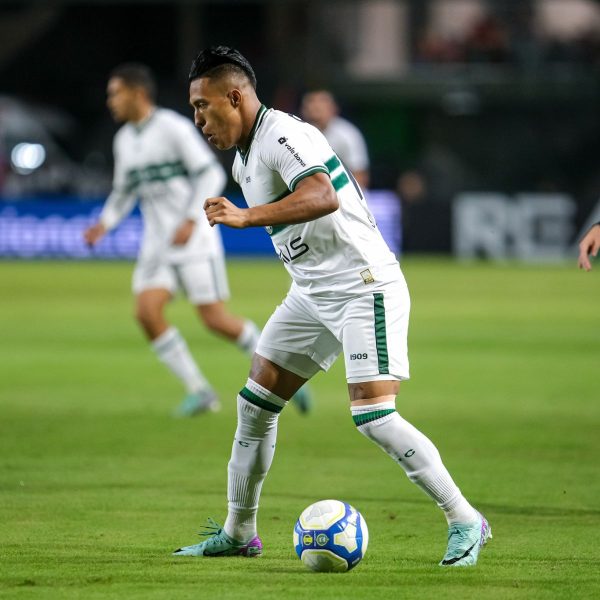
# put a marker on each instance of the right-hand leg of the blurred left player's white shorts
(204, 281)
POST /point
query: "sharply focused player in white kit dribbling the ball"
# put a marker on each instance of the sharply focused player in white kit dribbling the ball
(348, 296)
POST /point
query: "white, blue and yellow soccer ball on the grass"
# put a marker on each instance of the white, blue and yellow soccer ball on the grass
(331, 536)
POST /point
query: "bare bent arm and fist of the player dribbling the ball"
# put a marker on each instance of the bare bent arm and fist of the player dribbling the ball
(312, 198)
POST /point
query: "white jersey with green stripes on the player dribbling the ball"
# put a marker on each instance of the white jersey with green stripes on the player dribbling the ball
(339, 254)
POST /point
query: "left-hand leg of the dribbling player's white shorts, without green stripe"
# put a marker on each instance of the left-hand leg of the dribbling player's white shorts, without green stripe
(295, 339)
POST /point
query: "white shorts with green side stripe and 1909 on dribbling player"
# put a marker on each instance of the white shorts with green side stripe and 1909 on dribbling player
(305, 336)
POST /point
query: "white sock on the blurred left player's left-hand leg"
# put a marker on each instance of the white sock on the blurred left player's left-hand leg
(171, 349)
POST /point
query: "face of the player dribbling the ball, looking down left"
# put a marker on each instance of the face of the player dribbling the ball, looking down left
(215, 113)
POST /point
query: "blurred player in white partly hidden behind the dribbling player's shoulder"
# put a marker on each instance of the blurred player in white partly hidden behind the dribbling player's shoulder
(320, 109)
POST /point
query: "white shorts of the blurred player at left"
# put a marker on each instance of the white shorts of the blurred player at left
(203, 281)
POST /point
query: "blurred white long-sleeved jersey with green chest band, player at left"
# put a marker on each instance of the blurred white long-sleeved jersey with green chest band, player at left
(166, 165)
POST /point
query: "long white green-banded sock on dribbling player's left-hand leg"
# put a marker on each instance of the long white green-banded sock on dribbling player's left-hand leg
(251, 457)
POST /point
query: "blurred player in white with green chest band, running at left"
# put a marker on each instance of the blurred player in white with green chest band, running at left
(162, 161)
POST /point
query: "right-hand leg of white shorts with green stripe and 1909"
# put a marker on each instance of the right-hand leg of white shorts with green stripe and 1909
(374, 332)
